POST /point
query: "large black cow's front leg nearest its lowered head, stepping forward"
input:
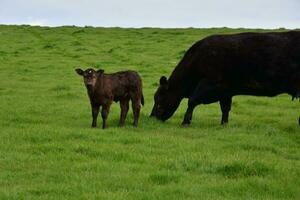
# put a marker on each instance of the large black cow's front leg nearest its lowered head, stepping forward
(205, 93)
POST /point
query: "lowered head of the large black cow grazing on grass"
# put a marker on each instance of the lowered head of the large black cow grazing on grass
(165, 101)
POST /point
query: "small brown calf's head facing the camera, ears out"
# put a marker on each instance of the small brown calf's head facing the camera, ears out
(89, 76)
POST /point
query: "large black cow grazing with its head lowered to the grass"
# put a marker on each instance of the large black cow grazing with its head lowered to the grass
(221, 66)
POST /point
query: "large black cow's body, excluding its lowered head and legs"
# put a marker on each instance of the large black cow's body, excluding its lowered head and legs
(251, 63)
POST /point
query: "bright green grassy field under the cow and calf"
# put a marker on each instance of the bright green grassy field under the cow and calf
(49, 151)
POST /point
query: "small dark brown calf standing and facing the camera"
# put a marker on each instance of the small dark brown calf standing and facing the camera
(103, 89)
